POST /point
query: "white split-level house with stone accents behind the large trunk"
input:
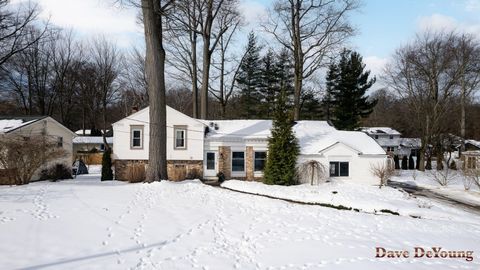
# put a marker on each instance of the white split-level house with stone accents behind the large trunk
(238, 148)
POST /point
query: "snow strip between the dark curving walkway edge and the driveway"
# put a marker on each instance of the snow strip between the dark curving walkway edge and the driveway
(363, 197)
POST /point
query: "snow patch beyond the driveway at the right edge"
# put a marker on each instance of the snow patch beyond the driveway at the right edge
(455, 188)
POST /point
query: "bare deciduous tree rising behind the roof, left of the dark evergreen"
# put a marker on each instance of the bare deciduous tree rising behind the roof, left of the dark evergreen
(311, 30)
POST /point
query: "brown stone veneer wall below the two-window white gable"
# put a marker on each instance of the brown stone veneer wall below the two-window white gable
(177, 169)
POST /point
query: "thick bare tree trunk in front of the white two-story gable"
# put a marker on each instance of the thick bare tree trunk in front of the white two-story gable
(155, 71)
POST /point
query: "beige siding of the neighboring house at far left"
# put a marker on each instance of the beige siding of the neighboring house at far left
(51, 128)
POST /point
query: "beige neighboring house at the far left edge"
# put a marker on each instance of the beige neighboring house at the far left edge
(40, 125)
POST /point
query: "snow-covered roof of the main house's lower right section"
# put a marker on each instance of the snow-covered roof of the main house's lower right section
(313, 136)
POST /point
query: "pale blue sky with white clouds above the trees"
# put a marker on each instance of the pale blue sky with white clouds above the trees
(383, 25)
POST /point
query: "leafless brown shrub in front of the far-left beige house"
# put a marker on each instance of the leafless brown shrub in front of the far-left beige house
(23, 156)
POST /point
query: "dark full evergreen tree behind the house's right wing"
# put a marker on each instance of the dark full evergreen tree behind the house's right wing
(350, 83)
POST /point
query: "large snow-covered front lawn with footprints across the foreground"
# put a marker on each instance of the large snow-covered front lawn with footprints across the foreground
(88, 224)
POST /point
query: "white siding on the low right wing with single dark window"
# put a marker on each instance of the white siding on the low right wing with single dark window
(359, 164)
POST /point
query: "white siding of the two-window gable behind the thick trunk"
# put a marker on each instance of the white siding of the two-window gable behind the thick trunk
(193, 154)
